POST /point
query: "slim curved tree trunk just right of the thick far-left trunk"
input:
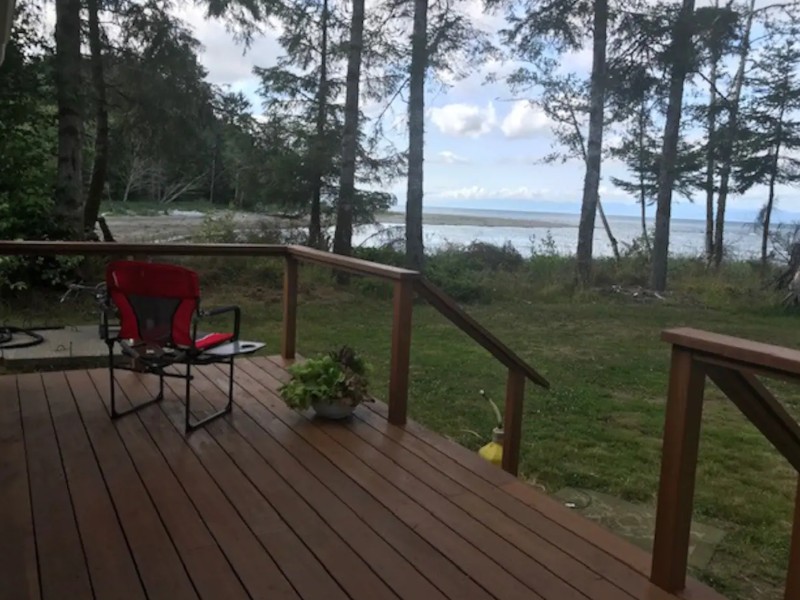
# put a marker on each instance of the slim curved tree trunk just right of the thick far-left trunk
(101, 147)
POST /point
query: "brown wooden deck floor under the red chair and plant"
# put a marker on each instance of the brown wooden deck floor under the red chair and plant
(269, 504)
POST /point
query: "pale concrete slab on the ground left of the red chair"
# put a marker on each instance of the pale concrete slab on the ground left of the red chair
(70, 347)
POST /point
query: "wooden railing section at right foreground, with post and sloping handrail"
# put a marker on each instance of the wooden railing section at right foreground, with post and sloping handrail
(732, 364)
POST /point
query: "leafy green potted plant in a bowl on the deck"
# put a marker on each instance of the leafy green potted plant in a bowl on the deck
(333, 384)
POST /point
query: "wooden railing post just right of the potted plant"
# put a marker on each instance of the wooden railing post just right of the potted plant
(401, 350)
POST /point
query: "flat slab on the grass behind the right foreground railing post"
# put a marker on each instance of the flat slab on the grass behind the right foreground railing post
(636, 522)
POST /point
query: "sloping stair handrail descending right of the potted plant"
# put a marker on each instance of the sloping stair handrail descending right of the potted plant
(461, 319)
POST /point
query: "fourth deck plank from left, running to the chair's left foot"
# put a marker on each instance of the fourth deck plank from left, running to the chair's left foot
(160, 568)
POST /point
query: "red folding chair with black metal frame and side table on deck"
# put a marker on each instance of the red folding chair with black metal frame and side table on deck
(159, 312)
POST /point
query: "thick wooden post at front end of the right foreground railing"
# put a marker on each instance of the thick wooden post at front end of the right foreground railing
(684, 412)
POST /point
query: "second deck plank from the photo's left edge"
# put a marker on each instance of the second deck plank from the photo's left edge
(62, 567)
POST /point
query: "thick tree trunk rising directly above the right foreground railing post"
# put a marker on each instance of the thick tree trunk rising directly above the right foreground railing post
(681, 52)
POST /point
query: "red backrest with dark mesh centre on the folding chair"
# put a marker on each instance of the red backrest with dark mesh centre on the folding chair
(155, 301)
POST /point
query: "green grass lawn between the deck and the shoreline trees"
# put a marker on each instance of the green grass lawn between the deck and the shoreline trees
(600, 425)
